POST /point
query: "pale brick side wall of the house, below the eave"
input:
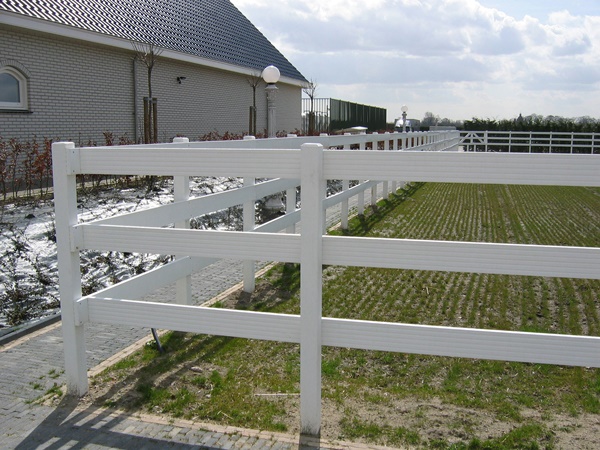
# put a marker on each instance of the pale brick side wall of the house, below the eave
(77, 90)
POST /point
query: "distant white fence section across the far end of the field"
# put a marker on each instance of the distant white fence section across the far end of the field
(530, 142)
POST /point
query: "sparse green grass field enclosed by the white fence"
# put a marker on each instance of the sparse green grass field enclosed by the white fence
(401, 399)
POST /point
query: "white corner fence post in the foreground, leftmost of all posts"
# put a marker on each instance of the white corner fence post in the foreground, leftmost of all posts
(64, 165)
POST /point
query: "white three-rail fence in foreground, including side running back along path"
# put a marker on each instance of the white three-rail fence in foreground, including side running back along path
(311, 161)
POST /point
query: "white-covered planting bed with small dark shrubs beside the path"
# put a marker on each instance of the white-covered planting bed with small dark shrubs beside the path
(28, 254)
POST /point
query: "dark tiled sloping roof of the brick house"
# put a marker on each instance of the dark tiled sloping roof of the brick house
(213, 29)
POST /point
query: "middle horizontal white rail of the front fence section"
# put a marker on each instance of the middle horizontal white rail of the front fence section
(479, 257)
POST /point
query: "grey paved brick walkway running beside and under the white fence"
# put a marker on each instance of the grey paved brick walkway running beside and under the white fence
(34, 364)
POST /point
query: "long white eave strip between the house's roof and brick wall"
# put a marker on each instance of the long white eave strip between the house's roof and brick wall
(33, 24)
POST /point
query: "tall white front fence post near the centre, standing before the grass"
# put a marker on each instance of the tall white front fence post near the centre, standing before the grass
(311, 263)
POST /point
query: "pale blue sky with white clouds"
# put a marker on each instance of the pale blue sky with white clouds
(459, 59)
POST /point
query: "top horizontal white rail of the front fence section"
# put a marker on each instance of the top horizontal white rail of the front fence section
(426, 166)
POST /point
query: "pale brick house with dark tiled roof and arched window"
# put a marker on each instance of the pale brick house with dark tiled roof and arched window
(68, 69)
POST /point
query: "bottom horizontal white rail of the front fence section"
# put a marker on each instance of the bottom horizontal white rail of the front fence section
(540, 348)
